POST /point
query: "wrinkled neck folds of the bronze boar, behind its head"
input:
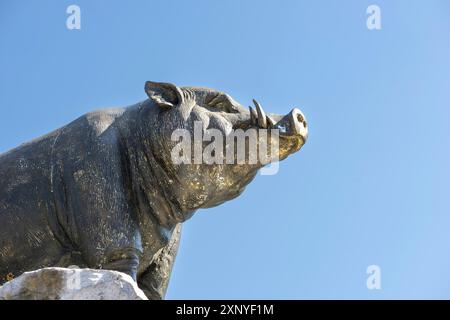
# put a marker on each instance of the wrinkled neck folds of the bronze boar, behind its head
(147, 172)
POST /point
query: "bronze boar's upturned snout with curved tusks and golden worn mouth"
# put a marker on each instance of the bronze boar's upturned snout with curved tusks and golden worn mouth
(292, 128)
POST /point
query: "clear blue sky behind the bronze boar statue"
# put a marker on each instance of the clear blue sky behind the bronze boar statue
(370, 187)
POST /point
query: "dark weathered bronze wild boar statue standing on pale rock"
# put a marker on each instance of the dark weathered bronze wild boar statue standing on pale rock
(103, 191)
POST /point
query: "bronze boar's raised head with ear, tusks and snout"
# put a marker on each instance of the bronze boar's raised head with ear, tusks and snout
(197, 182)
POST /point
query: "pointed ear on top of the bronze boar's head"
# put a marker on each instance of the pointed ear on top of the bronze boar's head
(165, 95)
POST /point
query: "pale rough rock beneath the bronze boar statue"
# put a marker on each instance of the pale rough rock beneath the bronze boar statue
(72, 284)
